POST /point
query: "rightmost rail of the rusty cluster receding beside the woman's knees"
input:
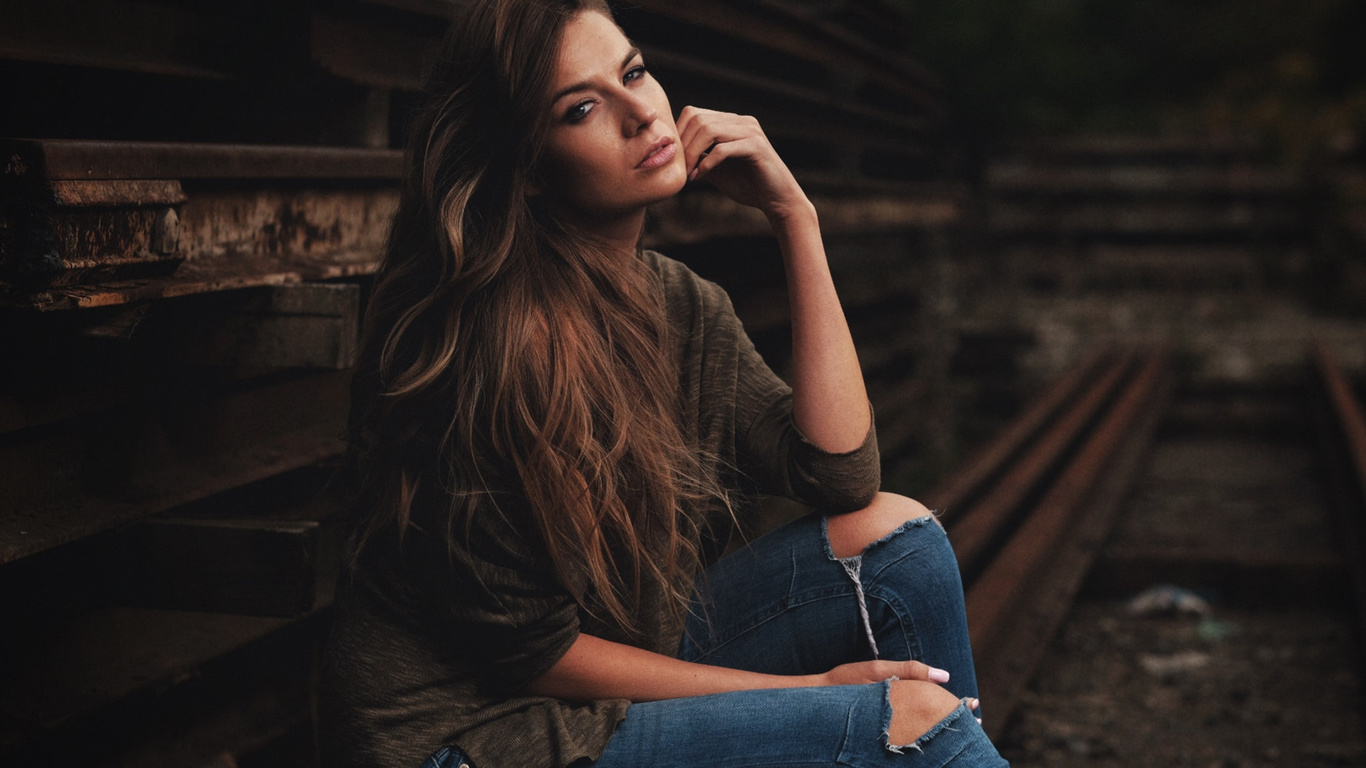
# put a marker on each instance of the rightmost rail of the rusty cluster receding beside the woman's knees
(1012, 643)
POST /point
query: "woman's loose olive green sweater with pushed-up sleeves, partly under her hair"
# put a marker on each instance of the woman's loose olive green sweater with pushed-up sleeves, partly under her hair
(434, 648)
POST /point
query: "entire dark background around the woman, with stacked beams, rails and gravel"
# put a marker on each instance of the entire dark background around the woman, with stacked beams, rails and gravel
(1106, 266)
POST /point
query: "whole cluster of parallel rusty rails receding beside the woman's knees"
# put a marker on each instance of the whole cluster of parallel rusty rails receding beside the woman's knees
(1037, 505)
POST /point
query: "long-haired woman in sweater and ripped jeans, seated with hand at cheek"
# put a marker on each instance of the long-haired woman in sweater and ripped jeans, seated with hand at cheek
(554, 435)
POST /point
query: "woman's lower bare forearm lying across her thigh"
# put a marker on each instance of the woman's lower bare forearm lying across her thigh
(598, 669)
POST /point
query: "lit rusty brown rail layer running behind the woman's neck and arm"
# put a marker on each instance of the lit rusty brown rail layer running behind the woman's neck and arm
(100, 225)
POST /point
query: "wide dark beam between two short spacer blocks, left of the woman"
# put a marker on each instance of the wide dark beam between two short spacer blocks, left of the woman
(94, 478)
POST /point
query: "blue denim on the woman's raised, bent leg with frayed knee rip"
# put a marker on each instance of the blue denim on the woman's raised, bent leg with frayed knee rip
(786, 606)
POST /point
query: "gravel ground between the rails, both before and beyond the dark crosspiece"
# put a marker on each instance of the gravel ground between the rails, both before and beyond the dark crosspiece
(1237, 687)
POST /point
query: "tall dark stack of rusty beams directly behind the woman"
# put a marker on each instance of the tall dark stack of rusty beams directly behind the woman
(184, 258)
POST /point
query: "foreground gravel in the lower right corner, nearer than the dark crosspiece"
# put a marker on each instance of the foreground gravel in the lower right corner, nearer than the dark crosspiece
(1234, 689)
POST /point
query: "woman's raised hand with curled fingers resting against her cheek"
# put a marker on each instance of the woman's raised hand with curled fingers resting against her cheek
(731, 152)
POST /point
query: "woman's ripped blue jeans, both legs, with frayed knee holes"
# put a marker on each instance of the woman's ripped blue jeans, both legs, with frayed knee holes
(785, 605)
